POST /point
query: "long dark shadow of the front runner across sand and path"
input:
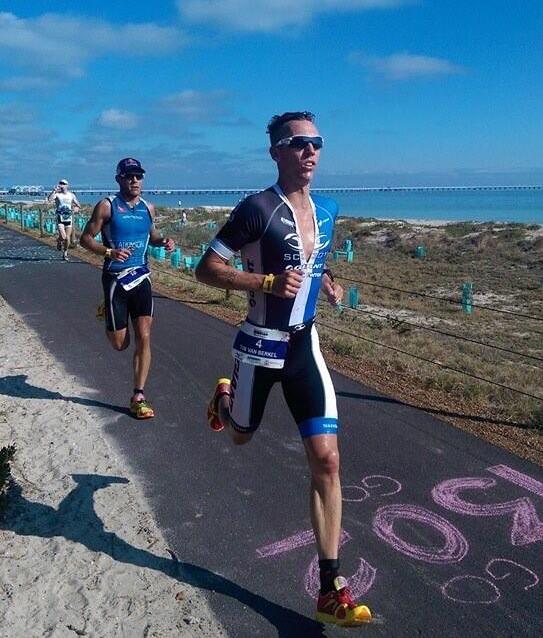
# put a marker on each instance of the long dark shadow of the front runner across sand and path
(76, 520)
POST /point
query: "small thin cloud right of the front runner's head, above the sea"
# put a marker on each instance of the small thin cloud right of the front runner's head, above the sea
(406, 66)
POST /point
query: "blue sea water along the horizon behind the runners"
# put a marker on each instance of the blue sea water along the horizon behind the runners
(524, 206)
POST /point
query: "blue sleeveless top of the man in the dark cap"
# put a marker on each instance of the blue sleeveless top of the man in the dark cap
(128, 227)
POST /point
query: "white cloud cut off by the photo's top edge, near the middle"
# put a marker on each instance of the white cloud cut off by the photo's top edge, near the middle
(268, 15)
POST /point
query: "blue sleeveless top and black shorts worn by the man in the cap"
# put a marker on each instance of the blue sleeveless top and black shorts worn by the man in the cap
(128, 227)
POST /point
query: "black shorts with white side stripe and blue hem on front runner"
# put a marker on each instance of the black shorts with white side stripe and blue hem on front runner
(306, 384)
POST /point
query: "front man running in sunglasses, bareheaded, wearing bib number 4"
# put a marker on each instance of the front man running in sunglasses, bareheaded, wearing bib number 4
(284, 235)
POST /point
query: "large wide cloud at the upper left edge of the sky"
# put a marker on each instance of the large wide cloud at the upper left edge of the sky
(54, 47)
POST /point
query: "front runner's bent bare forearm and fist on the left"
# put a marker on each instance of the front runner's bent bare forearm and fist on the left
(213, 270)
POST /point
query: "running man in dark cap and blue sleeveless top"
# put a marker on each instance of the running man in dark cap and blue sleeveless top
(126, 224)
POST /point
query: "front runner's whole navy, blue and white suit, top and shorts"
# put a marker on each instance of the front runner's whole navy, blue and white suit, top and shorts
(263, 228)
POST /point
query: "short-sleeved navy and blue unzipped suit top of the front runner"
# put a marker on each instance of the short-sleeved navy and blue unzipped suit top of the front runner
(263, 228)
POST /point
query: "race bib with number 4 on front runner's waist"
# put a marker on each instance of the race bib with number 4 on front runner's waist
(261, 346)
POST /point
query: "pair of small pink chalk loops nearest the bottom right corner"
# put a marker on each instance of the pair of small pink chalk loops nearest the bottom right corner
(475, 590)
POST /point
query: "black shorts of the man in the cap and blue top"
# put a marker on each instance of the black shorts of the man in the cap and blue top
(120, 303)
